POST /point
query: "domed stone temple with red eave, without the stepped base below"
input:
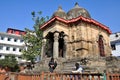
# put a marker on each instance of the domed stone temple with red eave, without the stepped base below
(75, 35)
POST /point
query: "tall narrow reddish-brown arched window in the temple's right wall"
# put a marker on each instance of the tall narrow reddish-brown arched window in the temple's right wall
(101, 46)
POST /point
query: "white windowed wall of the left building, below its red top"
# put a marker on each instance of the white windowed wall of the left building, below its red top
(11, 44)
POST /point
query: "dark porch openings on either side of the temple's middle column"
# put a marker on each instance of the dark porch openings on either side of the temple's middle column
(49, 45)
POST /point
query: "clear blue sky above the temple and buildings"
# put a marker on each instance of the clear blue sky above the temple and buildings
(17, 13)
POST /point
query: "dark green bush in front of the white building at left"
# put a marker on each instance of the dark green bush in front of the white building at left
(9, 61)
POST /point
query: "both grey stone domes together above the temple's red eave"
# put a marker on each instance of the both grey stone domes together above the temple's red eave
(72, 13)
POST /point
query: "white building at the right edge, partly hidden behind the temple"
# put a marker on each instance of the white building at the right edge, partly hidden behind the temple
(115, 43)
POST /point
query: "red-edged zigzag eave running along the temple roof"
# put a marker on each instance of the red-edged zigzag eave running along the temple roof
(88, 20)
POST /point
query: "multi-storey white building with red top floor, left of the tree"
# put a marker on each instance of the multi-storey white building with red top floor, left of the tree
(11, 42)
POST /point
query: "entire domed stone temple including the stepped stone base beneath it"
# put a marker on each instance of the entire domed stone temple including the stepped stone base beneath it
(75, 37)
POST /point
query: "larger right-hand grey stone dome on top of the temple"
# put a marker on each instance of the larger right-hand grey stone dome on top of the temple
(78, 11)
